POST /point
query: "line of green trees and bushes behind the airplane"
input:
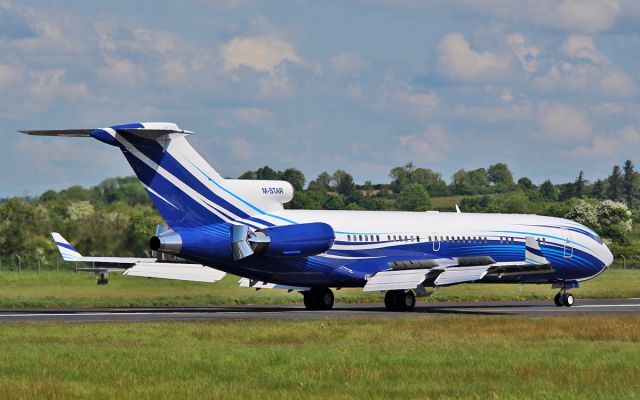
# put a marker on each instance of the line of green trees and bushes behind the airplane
(117, 216)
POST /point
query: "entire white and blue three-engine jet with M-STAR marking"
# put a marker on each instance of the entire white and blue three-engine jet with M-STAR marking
(220, 225)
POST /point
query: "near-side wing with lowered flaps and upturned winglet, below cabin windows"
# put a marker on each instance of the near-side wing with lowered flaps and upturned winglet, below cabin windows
(444, 272)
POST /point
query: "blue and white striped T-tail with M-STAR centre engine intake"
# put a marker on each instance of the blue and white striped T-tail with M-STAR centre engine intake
(185, 189)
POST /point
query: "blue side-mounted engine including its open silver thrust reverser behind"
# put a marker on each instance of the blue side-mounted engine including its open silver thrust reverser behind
(298, 240)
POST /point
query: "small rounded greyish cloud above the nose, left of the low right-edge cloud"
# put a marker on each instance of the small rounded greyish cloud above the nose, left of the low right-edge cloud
(560, 123)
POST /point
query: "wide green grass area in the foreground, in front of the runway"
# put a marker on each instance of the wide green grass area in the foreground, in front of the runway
(406, 357)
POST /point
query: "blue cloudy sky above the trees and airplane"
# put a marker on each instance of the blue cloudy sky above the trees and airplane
(549, 87)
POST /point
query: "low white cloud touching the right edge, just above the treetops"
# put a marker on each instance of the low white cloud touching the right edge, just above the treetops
(622, 144)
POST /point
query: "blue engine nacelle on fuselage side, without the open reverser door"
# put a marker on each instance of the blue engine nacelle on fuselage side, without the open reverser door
(293, 240)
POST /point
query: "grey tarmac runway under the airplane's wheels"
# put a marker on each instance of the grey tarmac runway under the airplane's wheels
(612, 307)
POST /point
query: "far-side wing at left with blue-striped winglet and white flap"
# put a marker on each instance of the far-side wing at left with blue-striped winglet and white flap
(140, 266)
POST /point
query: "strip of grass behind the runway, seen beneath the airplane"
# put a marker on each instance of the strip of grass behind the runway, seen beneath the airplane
(61, 289)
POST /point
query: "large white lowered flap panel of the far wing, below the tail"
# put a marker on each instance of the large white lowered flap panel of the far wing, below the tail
(176, 271)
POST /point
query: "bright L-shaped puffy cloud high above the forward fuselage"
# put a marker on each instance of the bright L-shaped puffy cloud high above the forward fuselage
(458, 61)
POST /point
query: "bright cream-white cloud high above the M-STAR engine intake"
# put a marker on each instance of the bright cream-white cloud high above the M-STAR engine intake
(263, 54)
